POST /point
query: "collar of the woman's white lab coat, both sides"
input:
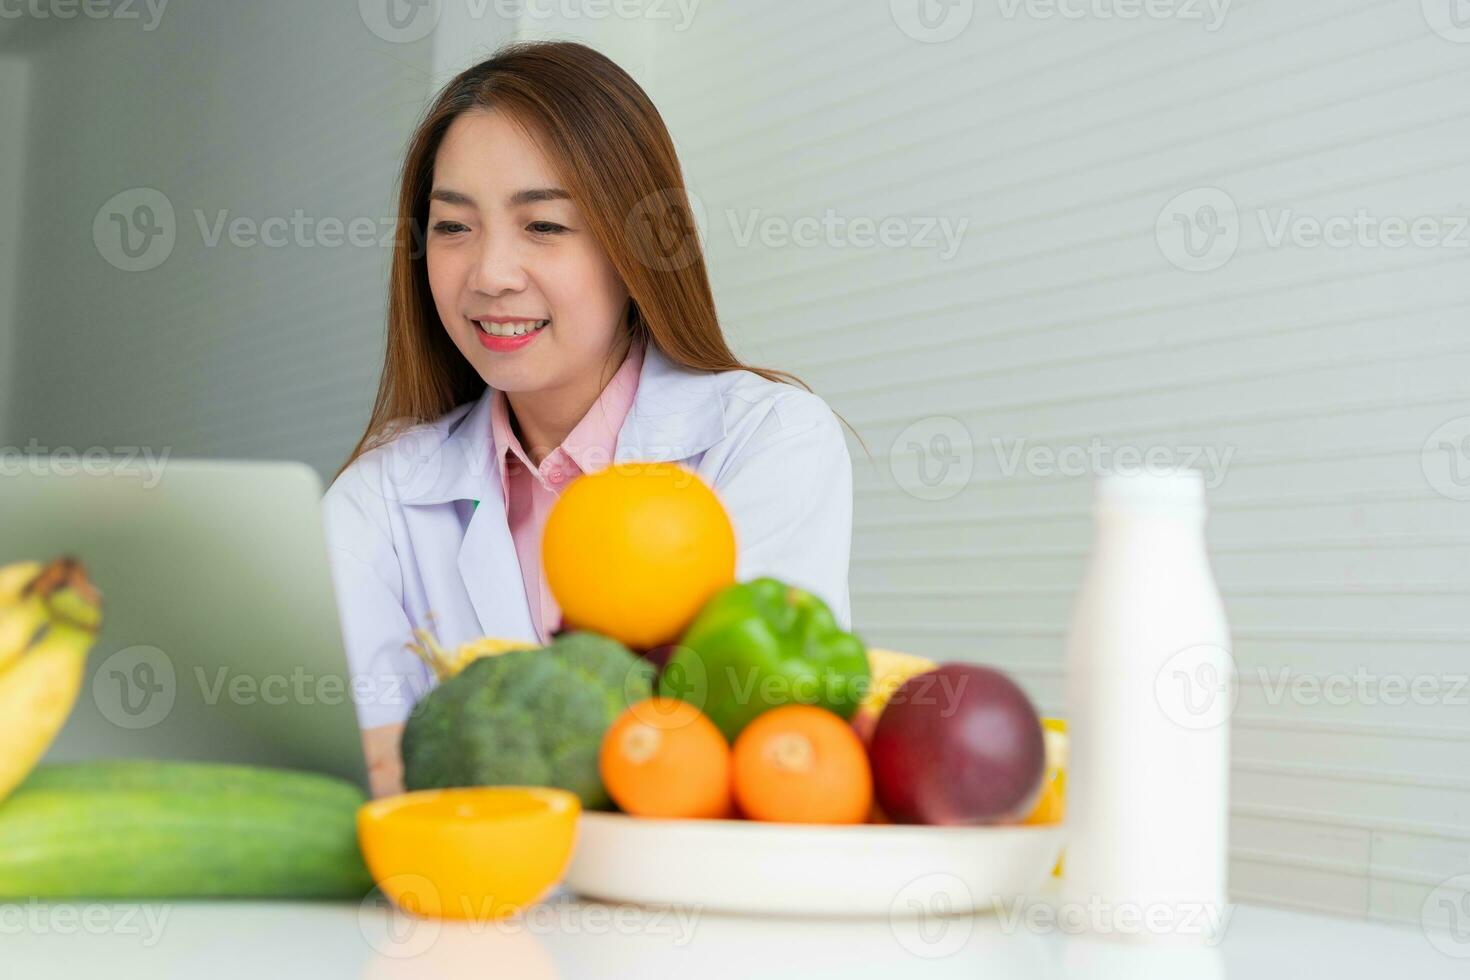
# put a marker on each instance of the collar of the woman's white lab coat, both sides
(677, 414)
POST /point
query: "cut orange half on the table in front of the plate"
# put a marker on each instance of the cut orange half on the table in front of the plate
(477, 854)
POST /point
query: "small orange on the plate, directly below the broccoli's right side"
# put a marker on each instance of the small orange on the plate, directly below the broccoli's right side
(664, 759)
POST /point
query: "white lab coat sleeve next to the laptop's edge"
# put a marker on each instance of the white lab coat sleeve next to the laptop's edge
(386, 678)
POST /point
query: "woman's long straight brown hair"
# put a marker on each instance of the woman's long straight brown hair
(623, 173)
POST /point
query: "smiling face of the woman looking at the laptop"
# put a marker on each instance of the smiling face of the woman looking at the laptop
(499, 251)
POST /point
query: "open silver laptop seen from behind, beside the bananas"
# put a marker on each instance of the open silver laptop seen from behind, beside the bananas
(221, 637)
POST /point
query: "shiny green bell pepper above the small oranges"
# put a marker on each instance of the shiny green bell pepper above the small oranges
(759, 646)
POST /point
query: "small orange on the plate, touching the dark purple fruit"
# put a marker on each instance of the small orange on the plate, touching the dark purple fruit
(802, 765)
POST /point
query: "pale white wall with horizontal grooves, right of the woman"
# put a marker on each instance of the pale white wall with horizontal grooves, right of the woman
(1318, 372)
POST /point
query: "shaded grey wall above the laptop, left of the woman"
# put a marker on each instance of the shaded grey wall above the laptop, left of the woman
(286, 117)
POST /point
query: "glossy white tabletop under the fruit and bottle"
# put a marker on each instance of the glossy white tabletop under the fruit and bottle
(570, 938)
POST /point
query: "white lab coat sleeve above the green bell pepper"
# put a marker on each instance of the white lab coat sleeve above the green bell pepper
(790, 496)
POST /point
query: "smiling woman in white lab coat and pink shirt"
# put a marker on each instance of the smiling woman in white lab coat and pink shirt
(549, 315)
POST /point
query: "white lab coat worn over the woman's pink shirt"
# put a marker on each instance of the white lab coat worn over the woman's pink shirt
(409, 549)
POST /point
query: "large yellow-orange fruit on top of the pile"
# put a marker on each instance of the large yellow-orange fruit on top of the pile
(634, 550)
